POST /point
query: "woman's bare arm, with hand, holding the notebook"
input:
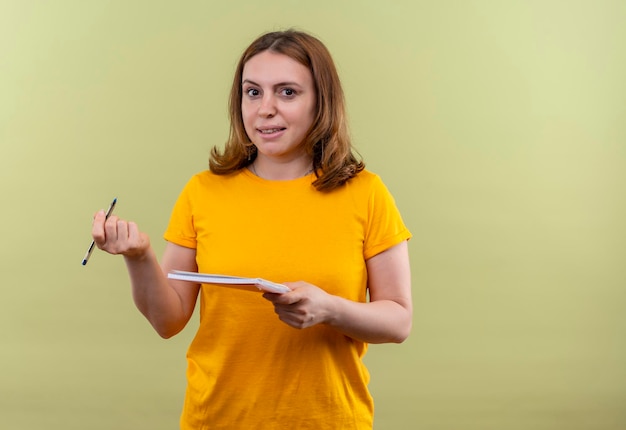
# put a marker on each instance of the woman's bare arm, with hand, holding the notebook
(386, 318)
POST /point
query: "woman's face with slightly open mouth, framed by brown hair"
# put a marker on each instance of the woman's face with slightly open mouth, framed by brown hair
(277, 105)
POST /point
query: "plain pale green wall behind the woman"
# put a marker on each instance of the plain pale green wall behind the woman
(499, 126)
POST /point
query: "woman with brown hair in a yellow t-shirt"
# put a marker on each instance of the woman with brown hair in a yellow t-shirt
(285, 200)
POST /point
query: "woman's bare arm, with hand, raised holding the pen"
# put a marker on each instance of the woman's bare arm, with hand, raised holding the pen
(167, 304)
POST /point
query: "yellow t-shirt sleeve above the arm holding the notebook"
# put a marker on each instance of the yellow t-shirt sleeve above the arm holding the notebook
(385, 227)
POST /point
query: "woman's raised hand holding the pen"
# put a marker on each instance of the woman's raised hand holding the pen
(118, 236)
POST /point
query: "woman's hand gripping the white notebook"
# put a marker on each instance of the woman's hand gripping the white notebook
(304, 306)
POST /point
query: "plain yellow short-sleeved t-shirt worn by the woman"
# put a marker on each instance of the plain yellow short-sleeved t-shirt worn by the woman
(247, 369)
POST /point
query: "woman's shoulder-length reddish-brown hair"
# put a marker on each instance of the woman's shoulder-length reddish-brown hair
(328, 140)
